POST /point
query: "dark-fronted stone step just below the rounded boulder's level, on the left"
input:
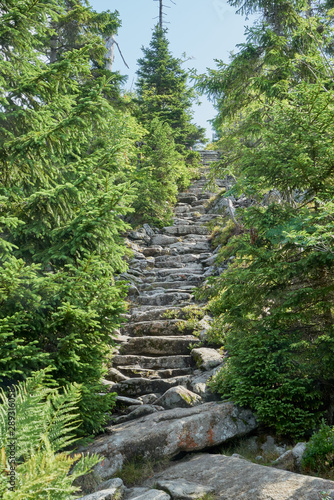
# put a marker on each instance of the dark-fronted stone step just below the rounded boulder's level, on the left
(139, 386)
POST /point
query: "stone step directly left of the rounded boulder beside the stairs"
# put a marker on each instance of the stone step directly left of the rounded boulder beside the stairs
(155, 363)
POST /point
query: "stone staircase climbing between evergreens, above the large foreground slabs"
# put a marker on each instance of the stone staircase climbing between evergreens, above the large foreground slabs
(156, 344)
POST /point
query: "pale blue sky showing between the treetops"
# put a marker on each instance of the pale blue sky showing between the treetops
(203, 29)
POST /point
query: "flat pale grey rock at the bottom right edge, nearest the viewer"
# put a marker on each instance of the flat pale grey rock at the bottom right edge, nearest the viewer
(235, 478)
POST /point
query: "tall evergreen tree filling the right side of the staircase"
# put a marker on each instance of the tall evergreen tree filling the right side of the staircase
(274, 305)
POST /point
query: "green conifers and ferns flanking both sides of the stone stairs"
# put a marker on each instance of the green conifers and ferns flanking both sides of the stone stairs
(82, 162)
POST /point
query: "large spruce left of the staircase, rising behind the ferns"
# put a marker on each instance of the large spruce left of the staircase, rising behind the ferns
(65, 156)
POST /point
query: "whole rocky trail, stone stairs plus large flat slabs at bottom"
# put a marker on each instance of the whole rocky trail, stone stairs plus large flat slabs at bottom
(160, 374)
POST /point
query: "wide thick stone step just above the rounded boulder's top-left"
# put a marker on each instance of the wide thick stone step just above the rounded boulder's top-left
(159, 346)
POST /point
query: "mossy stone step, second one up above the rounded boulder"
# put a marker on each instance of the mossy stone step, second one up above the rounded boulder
(167, 327)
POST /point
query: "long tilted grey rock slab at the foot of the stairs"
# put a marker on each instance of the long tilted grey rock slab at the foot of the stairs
(167, 433)
